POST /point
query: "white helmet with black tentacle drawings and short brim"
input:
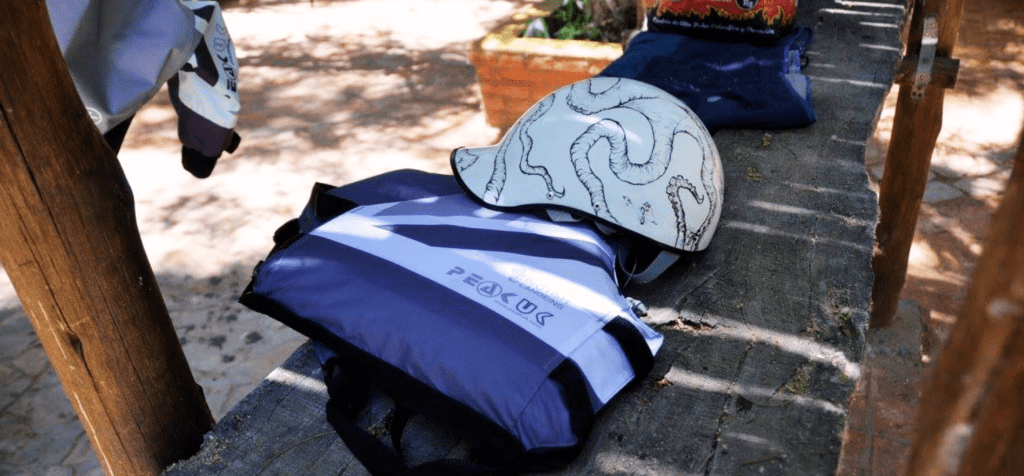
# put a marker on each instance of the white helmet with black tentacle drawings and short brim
(623, 153)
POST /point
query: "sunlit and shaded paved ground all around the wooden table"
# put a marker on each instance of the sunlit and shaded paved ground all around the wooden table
(351, 90)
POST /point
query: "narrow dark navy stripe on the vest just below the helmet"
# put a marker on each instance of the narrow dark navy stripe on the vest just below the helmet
(508, 242)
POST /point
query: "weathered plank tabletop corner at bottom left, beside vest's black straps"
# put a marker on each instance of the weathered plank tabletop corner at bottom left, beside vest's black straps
(281, 428)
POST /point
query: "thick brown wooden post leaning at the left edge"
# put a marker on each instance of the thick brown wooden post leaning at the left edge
(70, 243)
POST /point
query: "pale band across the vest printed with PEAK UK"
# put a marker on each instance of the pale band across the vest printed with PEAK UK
(563, 310)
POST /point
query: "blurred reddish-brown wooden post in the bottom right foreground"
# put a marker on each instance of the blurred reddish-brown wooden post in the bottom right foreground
(972, 416)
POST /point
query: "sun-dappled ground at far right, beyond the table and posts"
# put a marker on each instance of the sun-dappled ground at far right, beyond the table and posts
(983, 118)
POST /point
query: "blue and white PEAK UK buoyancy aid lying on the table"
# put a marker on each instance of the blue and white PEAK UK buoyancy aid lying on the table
(483, 307)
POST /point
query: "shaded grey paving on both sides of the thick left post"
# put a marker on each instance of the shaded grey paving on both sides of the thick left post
(230, 350)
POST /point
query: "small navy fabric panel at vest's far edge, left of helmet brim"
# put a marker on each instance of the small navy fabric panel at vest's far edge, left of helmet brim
(399, 186)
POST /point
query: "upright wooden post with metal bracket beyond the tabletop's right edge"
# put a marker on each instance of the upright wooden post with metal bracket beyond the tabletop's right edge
(916, 128)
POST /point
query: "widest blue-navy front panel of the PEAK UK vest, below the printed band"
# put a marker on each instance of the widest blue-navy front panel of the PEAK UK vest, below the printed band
(439, 337)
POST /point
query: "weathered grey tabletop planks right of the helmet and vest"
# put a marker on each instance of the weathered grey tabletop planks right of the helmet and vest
(765, 330)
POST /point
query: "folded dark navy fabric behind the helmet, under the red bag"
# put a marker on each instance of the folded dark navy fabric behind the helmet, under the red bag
(728, 85)
